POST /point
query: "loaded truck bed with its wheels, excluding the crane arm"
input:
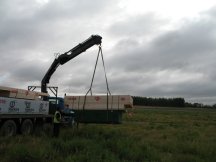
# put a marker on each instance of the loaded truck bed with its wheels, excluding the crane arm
(22, 111)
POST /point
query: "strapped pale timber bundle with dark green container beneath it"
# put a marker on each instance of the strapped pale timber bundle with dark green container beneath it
(99, 109)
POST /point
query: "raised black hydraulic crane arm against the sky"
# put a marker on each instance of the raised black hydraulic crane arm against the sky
(67, 56)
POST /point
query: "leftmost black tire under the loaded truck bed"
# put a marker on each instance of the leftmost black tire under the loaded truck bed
(9, 128)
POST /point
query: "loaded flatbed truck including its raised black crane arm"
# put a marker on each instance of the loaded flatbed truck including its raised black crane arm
(21, 111)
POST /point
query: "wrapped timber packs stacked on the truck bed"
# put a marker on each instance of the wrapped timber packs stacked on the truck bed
(19, 101)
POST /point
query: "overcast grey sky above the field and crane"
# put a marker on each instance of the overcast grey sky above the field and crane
(151, 48)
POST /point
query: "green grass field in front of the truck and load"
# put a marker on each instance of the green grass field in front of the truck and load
(150, 134)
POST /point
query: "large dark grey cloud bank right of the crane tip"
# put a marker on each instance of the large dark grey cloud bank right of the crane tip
(174, 49)
